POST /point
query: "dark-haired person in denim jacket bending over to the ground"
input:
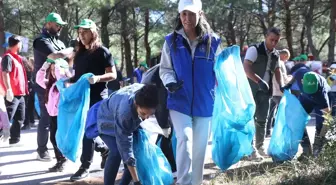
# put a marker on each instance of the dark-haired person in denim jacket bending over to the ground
(118, 117)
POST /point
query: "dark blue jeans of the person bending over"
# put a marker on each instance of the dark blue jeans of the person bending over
(113, 162)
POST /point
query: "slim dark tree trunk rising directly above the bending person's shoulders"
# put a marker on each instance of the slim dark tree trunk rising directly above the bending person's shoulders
(126, 38)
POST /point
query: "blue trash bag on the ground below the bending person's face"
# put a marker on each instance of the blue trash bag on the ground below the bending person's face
(152, 166)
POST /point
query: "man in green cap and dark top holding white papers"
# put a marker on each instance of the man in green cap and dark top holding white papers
(47, 45)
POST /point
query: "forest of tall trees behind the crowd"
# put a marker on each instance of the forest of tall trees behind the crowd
(134, 30)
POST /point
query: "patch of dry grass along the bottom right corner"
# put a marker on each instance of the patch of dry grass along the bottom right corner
(290, 173)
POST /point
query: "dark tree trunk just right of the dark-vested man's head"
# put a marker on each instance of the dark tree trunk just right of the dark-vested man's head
(288, 26)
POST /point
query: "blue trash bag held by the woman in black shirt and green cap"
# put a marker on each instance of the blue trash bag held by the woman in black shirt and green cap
(72, 111)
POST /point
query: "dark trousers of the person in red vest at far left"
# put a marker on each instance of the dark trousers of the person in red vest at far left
(16, 114)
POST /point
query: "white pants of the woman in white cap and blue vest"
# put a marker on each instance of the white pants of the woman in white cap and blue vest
(192, 135)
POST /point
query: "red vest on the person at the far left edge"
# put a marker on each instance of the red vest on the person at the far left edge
(18, 77)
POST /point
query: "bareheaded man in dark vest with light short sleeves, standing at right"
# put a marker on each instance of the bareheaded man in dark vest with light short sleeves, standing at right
(261, 63)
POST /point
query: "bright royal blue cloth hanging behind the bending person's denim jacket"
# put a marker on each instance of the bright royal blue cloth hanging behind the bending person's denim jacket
(91, 127)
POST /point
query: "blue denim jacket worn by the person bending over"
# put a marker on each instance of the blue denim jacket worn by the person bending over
(117, 117)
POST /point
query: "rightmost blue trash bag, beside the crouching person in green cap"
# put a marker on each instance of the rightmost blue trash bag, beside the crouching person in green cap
(289, 126)
